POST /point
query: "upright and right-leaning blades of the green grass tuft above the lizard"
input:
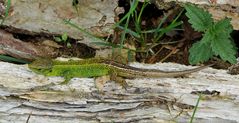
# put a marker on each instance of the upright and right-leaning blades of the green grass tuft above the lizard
(141, 35)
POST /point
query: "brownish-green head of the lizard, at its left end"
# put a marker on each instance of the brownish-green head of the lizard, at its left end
(41, 65)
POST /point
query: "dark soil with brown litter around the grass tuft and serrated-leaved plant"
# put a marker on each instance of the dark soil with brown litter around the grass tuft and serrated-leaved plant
(174, 45)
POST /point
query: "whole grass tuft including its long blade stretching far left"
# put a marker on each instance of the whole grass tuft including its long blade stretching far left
(138, 33)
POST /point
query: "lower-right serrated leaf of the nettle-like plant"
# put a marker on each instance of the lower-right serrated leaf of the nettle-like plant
(223, 47)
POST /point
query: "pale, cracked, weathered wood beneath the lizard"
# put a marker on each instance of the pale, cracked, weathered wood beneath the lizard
(146, 100)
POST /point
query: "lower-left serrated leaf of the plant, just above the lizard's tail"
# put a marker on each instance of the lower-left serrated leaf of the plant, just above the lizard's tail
(200, 52)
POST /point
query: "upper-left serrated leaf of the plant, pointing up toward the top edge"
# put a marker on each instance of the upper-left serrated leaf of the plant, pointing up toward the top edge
(200, 19)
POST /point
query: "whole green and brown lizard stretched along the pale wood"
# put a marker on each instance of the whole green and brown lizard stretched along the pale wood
(96, 67)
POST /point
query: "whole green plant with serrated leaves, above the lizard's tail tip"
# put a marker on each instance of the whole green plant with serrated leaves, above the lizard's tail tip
(216, 39)
